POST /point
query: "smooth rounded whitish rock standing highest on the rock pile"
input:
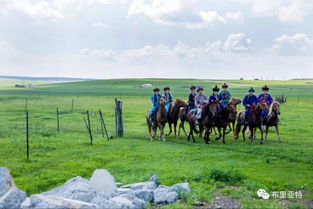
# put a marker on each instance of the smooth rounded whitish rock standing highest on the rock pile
(103, 181)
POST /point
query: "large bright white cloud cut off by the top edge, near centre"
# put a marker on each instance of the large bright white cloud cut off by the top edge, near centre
(180, 13)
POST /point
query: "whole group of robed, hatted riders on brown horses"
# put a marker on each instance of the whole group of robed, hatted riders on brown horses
(219, 111)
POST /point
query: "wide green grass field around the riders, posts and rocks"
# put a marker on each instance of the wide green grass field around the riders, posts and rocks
(56, 157)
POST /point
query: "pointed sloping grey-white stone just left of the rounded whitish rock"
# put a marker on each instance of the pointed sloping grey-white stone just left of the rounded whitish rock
(76, 188)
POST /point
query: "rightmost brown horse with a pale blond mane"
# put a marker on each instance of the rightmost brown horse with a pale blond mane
(272, 119)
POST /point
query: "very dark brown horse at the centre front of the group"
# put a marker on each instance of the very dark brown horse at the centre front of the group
(219, 119)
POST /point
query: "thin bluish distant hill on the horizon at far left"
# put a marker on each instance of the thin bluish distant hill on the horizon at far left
(60, 79)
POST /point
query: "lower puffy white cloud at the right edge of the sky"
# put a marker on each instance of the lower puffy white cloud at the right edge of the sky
(296, 45)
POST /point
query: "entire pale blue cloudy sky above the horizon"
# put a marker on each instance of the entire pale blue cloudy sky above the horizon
(157, 38)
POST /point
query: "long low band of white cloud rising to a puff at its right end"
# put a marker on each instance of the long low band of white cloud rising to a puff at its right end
(234, 43)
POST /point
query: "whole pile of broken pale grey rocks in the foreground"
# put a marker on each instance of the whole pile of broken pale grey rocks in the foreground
(100, 192)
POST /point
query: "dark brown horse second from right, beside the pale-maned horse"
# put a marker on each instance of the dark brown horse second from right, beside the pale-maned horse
(255, 120)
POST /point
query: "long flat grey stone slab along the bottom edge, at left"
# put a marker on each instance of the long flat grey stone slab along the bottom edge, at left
(54, 202)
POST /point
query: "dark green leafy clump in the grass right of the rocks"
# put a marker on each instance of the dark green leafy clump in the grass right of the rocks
(229, 176)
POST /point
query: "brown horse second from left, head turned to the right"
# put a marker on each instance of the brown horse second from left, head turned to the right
(173, 115)
